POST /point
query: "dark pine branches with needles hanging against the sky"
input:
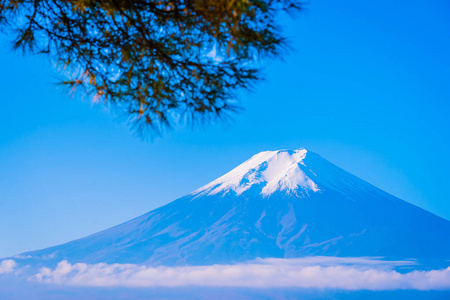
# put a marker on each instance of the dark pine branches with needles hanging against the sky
(163, 61)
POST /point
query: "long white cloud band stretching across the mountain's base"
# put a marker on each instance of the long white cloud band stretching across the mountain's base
(315, 272)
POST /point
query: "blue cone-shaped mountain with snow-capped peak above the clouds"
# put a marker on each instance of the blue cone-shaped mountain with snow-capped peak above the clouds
(276, 204)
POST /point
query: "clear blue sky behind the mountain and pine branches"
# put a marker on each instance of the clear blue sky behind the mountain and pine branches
(367, 87)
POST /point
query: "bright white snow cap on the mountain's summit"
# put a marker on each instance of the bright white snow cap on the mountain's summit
(272, 171)
